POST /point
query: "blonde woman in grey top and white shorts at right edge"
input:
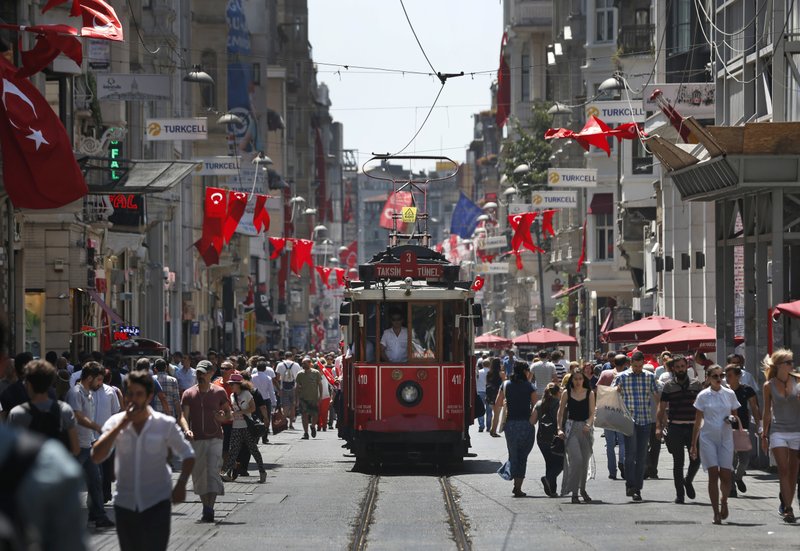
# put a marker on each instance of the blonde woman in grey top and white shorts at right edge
(782, 422)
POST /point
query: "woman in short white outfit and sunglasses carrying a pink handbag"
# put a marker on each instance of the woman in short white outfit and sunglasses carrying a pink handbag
(715, 406)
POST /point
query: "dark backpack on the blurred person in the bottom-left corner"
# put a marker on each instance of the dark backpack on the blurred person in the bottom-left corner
(21, 457)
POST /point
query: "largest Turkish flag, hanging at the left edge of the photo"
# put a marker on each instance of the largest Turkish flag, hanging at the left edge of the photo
(40, 170)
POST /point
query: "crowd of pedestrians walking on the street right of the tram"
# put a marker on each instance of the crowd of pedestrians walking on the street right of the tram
(695, 406)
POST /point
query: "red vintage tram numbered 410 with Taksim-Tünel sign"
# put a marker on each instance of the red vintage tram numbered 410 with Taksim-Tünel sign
(409, 375)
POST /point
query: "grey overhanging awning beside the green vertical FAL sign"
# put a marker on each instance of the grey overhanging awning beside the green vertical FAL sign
(133, 176)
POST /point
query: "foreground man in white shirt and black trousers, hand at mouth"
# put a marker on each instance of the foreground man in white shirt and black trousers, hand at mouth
(143, 438)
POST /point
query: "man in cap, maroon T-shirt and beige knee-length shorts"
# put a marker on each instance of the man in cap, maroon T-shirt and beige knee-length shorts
(205, 406)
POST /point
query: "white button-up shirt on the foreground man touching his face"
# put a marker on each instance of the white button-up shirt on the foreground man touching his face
(144, 476)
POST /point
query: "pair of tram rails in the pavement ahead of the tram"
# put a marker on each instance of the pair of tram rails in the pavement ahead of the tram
(456, 520)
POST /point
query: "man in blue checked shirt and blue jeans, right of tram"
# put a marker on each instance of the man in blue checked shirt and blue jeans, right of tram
(638, 388)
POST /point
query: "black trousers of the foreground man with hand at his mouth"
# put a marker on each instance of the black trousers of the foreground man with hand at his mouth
(146, 530)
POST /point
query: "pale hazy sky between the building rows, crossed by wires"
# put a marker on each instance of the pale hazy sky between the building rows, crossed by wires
(381, 111)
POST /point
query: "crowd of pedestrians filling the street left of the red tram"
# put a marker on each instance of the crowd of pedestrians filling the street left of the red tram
(108, 421)
